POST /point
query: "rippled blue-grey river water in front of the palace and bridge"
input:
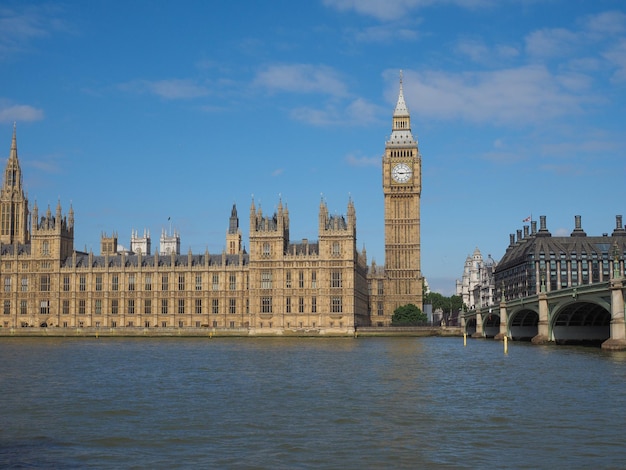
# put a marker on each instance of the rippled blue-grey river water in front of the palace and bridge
(279, 403)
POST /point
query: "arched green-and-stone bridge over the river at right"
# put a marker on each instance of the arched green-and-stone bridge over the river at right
(591, 313)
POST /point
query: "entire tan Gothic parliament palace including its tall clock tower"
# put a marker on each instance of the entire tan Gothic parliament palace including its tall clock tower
(321, 286)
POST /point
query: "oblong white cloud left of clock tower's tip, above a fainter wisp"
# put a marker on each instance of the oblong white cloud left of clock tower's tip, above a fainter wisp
(301, 78)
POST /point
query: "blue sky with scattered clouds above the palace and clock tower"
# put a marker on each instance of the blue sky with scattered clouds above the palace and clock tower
(136, 112)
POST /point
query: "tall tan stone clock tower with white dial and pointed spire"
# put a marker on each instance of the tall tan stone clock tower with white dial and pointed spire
(402, 185)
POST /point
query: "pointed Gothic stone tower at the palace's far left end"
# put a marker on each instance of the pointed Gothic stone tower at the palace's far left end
(13, 202)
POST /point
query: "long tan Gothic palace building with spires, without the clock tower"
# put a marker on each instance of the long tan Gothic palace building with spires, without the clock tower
(319, 287)
